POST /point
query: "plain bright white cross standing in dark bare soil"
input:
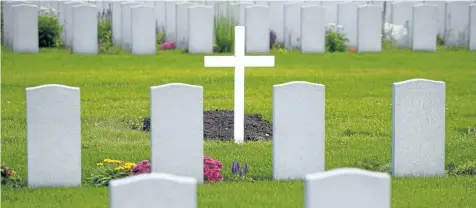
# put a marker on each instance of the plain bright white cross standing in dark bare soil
(239, 61)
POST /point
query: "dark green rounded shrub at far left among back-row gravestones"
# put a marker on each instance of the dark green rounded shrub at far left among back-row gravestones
(49, 32)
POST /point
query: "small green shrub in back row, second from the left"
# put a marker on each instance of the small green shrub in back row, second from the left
(105, 37)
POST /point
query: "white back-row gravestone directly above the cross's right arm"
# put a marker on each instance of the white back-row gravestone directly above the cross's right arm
(257, 25)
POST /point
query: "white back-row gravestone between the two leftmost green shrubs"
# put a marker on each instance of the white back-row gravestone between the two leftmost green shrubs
(85, 29)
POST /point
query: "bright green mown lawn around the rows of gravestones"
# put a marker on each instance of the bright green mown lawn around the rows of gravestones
(115, 95)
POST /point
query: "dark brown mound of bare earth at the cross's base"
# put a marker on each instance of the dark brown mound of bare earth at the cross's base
(218, 124)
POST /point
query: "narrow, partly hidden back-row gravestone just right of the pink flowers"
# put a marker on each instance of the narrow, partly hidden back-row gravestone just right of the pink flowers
(181, 17)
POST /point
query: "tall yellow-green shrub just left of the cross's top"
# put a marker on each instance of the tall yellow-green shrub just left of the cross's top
(224, 35)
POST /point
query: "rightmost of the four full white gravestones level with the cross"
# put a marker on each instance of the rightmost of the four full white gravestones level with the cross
(418, 141)
